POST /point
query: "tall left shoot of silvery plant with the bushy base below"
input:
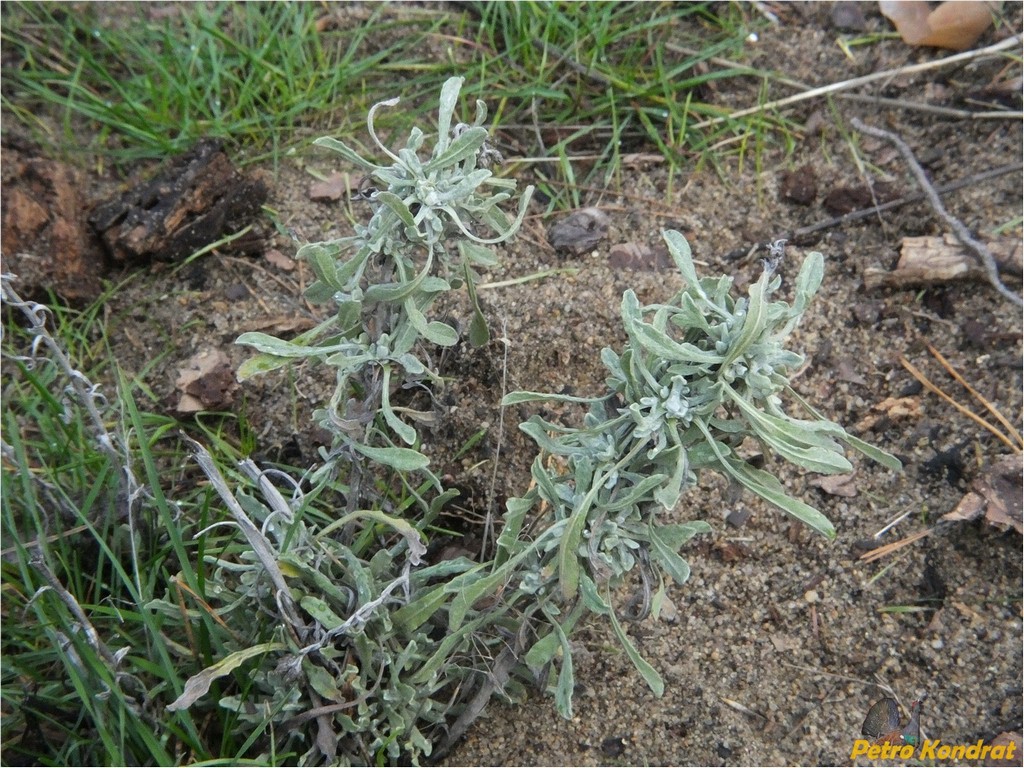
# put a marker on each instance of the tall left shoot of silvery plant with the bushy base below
(348, 620)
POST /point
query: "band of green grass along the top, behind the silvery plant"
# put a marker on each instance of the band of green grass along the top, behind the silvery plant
(577, 86)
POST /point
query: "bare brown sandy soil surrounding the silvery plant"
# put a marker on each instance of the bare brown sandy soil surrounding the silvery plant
(781, 642)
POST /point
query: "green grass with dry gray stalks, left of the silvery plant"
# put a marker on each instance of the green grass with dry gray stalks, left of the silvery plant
(104, 613)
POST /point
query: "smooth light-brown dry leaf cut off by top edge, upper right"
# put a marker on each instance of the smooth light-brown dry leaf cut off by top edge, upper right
(956, 26)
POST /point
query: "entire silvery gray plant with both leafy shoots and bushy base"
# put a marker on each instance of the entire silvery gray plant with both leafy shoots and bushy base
(374, 655)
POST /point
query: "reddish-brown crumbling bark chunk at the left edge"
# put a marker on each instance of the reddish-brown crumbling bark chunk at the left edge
(47, 240)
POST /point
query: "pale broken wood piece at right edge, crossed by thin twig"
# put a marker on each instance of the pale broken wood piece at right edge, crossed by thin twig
(932, 261)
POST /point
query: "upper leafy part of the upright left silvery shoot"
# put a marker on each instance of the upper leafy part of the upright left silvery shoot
(386, 278)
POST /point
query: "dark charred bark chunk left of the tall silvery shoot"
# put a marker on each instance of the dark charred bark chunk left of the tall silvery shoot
(199, 199)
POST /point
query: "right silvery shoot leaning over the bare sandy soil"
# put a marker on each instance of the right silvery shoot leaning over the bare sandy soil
(698, 376)
